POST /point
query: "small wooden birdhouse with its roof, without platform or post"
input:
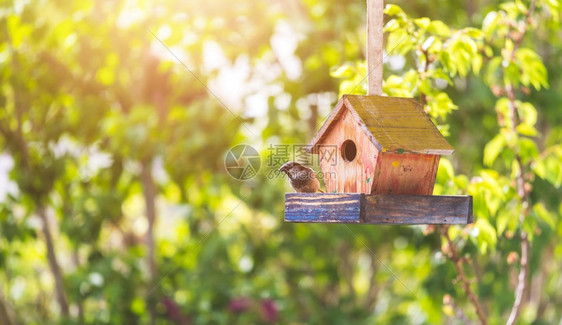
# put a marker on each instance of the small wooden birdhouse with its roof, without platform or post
(384, 145)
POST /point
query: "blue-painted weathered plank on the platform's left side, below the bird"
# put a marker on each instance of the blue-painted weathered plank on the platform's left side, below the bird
(323, 207)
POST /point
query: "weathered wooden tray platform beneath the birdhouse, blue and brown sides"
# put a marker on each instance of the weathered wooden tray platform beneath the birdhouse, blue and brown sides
(377, 209)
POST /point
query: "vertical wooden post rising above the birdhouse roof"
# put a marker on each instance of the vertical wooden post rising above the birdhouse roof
(375, 13)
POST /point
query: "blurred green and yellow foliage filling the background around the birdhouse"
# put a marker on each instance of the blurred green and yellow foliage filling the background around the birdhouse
(95, 113)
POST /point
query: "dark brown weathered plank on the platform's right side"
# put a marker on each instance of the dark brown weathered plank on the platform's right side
(418, 209)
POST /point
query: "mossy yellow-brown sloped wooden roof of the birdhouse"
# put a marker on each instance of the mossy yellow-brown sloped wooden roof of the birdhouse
(393, 124)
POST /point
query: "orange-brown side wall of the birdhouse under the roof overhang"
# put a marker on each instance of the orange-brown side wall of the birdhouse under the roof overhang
(405, 173)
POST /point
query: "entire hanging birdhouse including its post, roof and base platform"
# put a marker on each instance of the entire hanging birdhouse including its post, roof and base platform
(379, 157)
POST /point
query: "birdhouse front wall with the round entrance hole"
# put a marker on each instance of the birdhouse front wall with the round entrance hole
(343, 176)
